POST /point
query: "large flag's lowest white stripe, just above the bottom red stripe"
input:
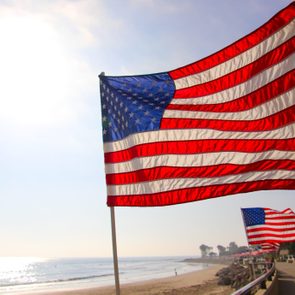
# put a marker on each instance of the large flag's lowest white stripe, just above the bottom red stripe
(164, 185)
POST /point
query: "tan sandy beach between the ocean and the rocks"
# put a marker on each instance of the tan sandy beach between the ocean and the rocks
(198, 282)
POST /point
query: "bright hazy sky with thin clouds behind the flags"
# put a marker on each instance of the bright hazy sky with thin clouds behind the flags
(52, 183)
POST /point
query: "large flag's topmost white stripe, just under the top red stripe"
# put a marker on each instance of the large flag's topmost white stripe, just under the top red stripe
(240, 60)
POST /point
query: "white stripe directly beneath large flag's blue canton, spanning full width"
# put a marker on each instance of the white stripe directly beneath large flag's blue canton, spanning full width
(195, 134)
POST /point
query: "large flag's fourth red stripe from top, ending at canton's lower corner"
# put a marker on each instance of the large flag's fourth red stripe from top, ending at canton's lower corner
(277, 120)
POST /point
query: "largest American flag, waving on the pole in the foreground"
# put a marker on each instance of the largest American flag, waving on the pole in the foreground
(219, 126)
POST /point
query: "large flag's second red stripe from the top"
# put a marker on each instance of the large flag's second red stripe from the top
(241, 75)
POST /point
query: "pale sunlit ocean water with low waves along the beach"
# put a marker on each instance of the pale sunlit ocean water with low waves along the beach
(21, 275)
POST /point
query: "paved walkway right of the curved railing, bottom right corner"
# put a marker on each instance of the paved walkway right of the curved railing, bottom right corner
(286, 278)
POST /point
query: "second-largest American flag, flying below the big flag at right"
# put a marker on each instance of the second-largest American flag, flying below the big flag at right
(267, 226)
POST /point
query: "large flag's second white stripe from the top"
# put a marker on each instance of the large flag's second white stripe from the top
(242, 89)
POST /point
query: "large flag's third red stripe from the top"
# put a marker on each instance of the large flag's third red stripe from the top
(258, 97)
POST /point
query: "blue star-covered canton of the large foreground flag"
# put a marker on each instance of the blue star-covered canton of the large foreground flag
(132, 104)
